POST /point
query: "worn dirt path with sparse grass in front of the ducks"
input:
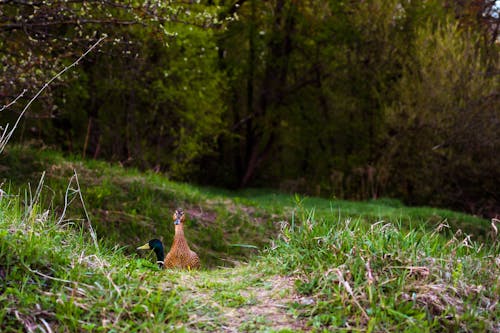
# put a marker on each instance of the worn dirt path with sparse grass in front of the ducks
(240, 300)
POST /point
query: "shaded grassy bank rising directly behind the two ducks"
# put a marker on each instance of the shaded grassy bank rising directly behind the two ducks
(129, 208)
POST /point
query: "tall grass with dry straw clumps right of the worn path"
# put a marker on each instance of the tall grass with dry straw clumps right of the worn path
(381, 277)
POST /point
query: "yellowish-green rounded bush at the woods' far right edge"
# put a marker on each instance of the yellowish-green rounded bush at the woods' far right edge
(445, 131)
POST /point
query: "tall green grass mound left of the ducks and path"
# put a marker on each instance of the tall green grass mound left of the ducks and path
(53, 278)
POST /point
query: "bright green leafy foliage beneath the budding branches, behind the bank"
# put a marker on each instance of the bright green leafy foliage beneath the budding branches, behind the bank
(169, 89)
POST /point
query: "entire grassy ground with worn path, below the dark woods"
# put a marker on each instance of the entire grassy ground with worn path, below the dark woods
(327, 268)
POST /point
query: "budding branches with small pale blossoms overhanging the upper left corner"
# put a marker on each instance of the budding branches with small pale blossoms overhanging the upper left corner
(42, 35)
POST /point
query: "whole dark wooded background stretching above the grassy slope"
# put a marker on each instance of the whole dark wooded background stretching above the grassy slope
(343, 99)
